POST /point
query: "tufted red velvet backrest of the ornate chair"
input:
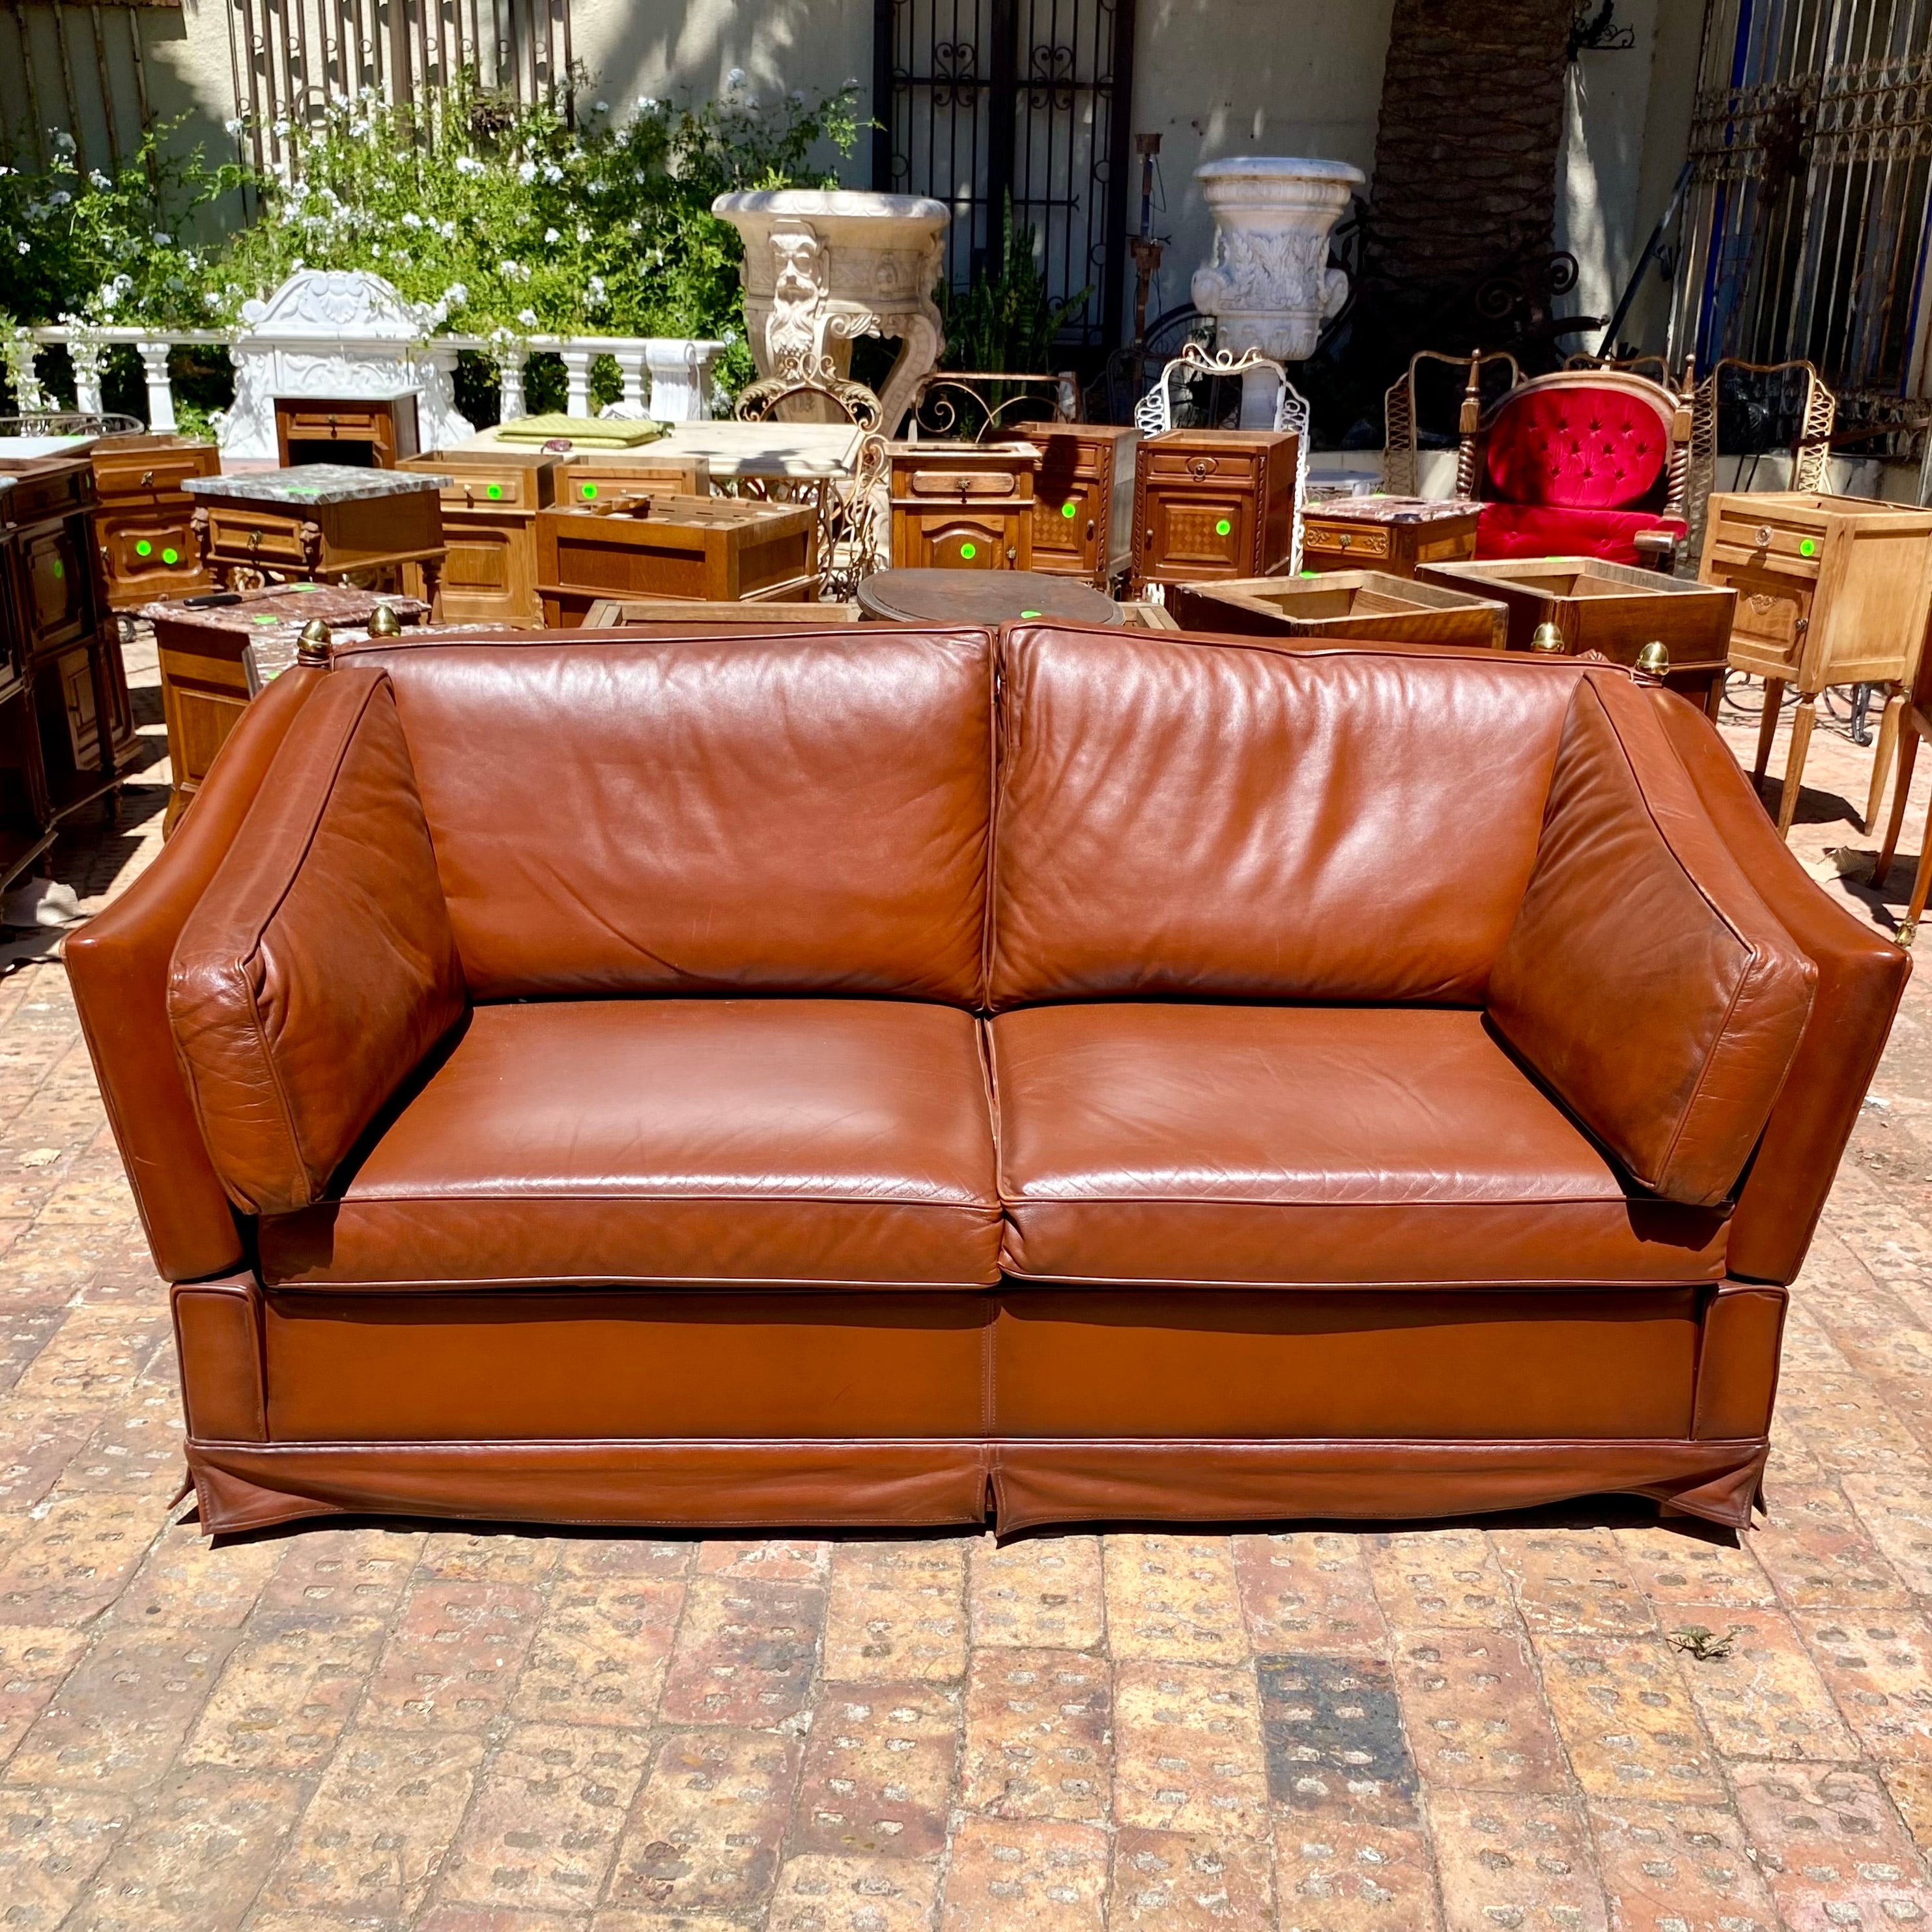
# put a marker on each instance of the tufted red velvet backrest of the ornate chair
(1576, 449)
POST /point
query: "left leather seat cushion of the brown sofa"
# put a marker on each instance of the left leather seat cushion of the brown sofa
(673, 1141)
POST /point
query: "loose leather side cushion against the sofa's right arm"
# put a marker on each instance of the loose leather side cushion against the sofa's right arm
(1645, 979)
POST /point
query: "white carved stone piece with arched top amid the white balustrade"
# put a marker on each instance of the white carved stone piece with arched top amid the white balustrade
(337, 333)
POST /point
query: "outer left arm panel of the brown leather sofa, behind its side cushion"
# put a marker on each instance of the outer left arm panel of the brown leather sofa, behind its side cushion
(119, 969)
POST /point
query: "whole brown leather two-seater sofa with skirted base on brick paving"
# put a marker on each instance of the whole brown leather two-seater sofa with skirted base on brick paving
(892, 1077)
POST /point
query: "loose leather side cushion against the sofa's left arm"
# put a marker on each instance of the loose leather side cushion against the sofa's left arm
(320, 967)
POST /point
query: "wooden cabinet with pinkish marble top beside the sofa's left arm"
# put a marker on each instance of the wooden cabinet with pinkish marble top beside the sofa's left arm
(215, 660)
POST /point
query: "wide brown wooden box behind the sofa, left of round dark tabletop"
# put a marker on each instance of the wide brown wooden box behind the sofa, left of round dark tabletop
(714, 550)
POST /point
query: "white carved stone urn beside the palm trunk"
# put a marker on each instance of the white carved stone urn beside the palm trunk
(1270, 285)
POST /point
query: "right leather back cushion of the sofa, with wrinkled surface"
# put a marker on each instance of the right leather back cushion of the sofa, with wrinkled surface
(1181, 818)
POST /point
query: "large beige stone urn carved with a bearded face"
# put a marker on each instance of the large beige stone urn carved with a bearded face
(824, 266)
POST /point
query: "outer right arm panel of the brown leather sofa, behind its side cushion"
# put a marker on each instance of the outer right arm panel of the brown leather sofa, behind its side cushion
(1861, 977)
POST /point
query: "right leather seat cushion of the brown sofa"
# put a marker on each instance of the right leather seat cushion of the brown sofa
(1309, 1147)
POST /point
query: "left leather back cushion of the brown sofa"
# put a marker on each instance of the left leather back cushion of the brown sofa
(718, 814)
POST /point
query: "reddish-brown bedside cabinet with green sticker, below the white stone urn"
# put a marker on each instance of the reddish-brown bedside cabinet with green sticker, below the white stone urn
(1214, 503)
